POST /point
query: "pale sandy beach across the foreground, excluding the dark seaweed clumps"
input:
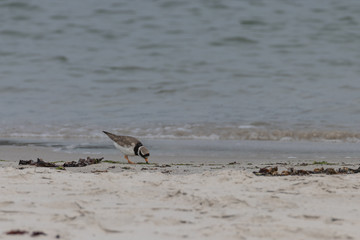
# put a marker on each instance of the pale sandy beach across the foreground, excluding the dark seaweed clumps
(158, 201)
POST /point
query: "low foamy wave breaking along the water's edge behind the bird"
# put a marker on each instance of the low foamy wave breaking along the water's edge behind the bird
(187, 131)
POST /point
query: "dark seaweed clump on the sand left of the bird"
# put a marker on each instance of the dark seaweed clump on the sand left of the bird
(80, 163)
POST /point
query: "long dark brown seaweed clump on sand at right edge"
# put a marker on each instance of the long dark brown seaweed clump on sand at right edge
(273, 171)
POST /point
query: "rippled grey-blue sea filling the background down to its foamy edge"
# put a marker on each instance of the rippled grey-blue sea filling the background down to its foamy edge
(160, 69)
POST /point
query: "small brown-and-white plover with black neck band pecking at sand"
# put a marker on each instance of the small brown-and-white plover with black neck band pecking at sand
(129, 146)
